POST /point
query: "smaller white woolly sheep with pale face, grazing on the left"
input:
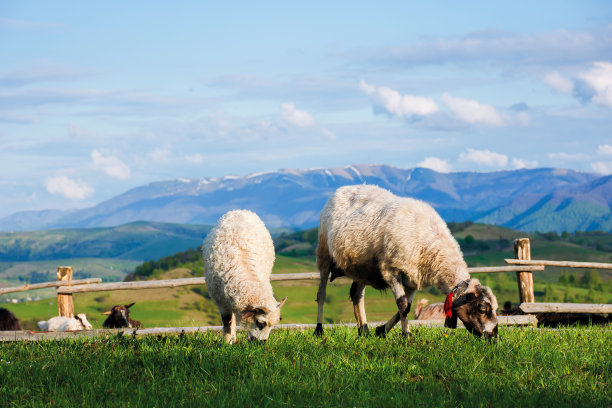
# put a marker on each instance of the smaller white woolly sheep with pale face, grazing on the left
(238, 258)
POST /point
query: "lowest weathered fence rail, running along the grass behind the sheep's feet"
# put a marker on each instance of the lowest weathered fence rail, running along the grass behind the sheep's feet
(37, 336)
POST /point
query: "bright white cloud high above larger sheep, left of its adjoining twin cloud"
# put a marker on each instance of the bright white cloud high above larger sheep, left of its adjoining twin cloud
(397, 104)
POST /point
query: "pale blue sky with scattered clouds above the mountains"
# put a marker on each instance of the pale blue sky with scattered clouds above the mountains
(98, 98)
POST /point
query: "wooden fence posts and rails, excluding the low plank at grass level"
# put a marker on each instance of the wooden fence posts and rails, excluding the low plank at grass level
(523, 265)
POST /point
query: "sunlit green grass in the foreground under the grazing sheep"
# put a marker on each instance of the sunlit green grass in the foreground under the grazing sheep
(436, 368)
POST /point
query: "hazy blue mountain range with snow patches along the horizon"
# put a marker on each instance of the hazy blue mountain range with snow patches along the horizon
(543, 199)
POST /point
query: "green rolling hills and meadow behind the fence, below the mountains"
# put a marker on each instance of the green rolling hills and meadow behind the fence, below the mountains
(483, 245)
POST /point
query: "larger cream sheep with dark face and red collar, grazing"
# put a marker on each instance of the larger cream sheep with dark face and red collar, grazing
(376, 238)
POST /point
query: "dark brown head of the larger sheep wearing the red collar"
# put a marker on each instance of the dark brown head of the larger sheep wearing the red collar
(476, 306)
